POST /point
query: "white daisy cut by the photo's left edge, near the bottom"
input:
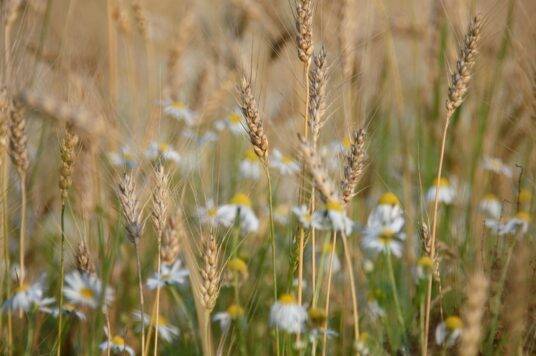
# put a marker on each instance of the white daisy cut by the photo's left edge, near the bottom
(28, 296)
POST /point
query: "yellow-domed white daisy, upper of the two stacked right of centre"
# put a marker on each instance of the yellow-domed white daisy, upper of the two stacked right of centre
(387, 214)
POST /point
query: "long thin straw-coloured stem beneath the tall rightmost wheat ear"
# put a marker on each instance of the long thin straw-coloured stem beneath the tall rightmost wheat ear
(434, 227)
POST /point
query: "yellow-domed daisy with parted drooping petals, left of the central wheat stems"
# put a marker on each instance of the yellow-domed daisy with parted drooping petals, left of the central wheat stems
(238, 209)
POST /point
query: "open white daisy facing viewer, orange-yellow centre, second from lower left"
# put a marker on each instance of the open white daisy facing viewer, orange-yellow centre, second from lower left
(85, 289)
